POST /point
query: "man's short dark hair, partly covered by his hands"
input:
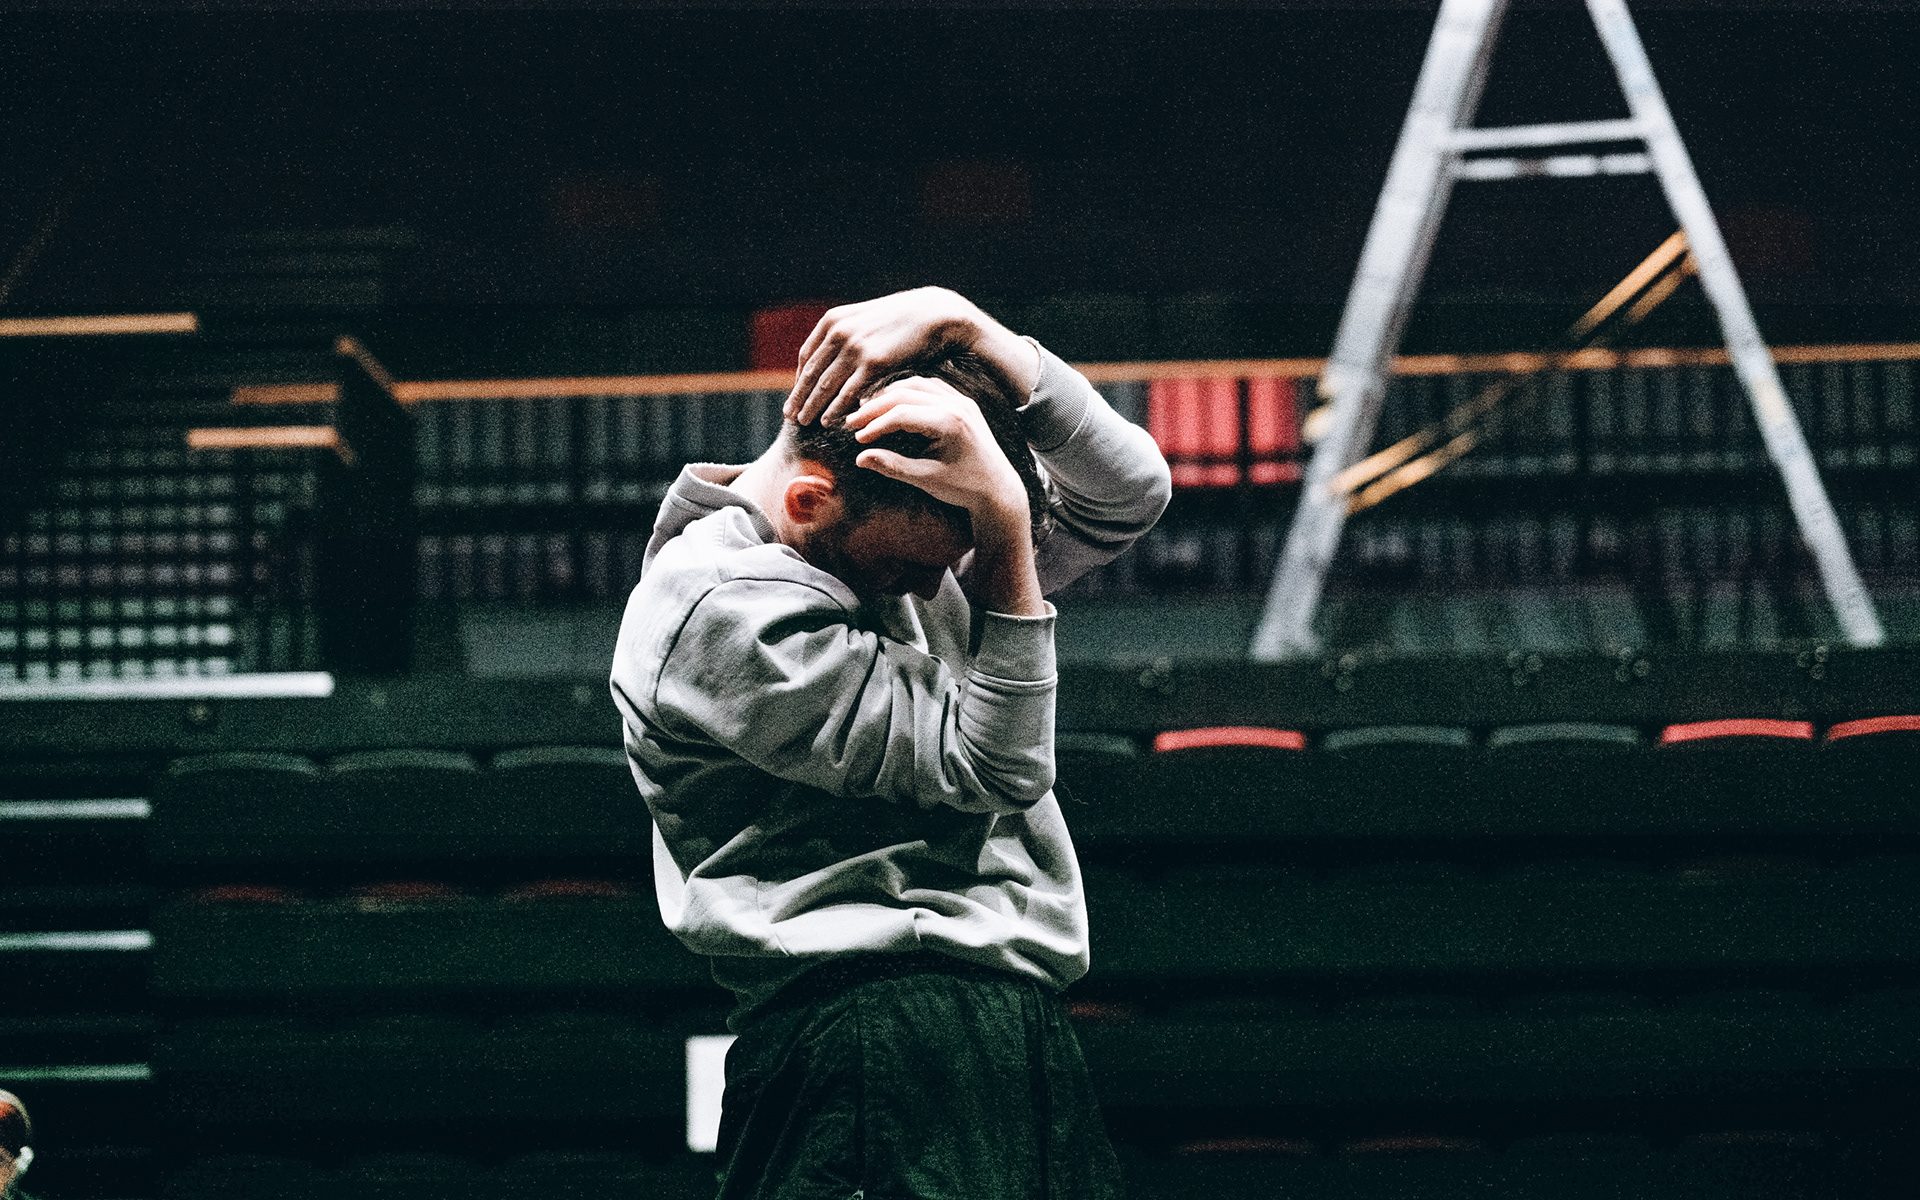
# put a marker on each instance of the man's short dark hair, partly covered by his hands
(865, 491)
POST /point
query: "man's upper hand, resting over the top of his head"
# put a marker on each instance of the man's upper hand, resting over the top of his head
(861, 343)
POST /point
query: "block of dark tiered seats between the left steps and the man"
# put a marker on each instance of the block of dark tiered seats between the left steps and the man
(398, 946)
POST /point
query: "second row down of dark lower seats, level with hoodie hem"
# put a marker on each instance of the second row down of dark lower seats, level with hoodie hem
(1228, 923)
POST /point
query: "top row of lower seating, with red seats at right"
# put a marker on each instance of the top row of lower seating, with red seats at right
(1748, 777)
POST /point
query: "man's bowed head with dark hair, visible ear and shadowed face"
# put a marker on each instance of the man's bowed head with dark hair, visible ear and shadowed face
(886, 537)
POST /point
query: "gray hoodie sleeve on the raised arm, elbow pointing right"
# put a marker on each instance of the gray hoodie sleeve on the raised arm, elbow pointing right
(1107, 475)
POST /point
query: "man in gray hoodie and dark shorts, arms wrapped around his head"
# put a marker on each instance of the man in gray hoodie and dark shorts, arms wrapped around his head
(838, 694)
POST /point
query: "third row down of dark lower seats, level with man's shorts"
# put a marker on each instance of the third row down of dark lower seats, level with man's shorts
(1554, 1049)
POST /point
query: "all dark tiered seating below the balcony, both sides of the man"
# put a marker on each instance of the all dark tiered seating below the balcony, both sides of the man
(1368, 957)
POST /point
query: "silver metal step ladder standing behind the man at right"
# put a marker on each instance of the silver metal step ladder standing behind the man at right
(1431, 155)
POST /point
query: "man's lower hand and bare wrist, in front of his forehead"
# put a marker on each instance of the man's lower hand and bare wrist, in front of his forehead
(965, 466)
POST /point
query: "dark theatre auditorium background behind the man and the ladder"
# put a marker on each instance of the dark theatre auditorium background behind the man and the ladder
(347, 356)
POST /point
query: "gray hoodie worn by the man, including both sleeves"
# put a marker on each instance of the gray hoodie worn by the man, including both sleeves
(830, 775)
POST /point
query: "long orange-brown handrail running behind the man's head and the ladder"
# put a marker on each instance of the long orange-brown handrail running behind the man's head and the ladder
(1101, 373)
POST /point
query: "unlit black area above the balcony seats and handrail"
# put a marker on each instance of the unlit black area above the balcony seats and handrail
(754, 156)
